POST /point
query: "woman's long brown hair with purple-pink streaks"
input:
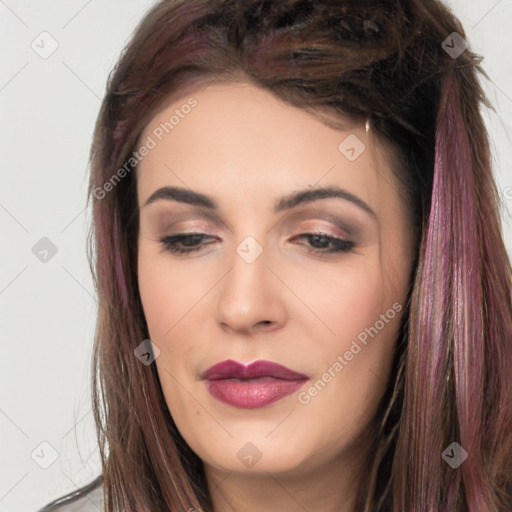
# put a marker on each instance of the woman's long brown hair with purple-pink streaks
(403, 66)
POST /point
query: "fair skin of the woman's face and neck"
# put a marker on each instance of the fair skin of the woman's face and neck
(246, 149)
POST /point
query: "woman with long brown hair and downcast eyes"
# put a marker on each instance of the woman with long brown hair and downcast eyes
(306, 298)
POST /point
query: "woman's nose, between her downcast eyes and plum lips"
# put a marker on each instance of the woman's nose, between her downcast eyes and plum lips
(250, 297)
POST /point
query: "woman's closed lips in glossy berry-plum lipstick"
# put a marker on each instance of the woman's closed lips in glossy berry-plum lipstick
(251, 386)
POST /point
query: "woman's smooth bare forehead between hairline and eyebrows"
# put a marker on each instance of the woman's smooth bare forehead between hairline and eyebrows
(228, 136)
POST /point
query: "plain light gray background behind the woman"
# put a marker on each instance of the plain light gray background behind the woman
(48, 310)
